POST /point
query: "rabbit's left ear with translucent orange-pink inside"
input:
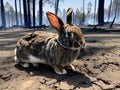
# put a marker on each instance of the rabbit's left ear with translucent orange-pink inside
(55, 21)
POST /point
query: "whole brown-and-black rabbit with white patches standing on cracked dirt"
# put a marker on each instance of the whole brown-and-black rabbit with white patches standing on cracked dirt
(58, 50)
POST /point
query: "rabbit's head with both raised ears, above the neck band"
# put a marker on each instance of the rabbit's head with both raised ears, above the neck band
(69, 35)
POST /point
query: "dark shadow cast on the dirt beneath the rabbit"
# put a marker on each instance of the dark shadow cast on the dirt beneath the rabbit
(74, 78)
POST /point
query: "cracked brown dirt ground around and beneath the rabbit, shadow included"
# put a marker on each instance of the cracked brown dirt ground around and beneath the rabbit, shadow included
(96, 68)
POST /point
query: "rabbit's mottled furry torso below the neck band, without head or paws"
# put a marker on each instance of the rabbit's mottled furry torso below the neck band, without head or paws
(47, 50)
